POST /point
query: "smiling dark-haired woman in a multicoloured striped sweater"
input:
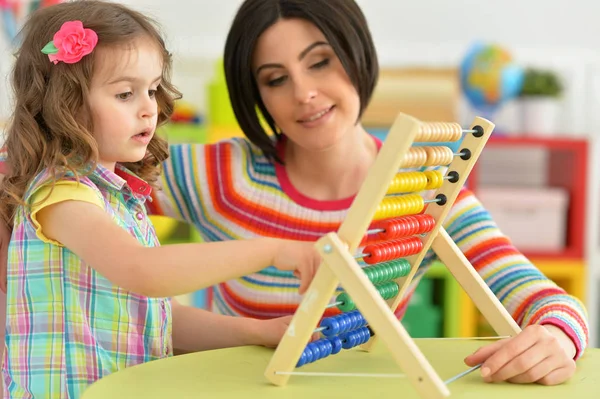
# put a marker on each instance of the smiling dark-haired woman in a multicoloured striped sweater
(310, 66)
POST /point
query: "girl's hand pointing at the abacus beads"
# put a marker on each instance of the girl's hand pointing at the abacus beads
(299, 256)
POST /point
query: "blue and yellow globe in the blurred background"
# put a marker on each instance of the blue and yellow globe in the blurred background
(489, 77)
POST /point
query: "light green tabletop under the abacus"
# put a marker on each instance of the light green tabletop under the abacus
(238, 373)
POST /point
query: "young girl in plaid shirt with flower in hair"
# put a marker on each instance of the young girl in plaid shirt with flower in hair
(88, 287)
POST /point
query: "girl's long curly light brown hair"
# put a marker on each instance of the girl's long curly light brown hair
(51, 125)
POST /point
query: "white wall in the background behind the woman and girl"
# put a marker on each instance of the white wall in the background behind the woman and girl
(426, 32)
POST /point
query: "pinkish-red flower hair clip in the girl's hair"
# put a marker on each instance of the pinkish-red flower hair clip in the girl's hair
(71, 43)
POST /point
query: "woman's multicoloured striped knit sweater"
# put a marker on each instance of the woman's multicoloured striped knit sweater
(230, 190)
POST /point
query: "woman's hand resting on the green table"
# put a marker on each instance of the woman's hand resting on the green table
(540, 354)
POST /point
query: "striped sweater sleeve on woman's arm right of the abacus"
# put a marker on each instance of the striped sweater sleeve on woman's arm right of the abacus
(528, 295)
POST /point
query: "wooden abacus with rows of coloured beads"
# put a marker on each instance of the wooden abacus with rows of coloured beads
(387, 193)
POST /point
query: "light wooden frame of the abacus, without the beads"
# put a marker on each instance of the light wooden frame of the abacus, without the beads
(339, 266)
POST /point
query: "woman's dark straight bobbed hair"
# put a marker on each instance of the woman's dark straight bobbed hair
(343, 25)
